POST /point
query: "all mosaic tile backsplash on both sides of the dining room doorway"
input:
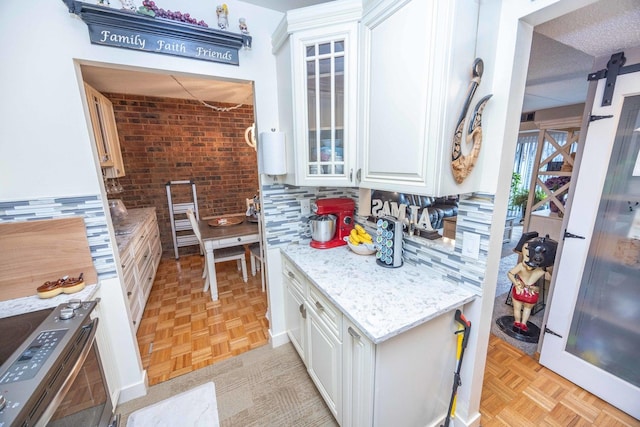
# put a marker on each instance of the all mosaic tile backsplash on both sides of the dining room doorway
(285, 225)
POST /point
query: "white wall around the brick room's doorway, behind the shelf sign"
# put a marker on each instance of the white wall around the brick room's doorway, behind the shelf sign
(45, 148)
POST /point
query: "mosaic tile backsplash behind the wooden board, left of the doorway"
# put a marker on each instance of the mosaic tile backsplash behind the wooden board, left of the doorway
(89, 207)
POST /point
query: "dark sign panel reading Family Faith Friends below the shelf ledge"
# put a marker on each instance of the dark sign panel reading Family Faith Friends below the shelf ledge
(139, 40)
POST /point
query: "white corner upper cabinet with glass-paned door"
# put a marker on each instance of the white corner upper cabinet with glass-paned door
(316, 54)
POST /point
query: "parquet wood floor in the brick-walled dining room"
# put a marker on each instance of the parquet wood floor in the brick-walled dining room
(182, 329)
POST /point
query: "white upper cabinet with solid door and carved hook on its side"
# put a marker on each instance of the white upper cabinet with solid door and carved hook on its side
(416, 66)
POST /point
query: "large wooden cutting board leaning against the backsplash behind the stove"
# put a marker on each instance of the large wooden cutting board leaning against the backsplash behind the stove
(33, 252)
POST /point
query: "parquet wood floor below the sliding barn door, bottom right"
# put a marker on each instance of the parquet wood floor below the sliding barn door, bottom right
(518, 391)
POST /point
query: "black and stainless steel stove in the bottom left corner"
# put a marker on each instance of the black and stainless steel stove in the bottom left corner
(44, 355)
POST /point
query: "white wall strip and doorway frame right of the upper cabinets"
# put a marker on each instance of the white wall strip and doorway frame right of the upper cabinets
(504, 42)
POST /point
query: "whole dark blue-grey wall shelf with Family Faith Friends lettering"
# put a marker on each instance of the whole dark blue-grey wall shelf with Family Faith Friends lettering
(130, 30)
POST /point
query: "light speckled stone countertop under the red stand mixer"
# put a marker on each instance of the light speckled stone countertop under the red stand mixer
(382, 302)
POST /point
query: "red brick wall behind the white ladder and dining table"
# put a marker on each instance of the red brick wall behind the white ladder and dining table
(165, 139)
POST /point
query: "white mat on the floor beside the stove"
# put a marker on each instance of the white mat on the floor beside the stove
(196, 407)
